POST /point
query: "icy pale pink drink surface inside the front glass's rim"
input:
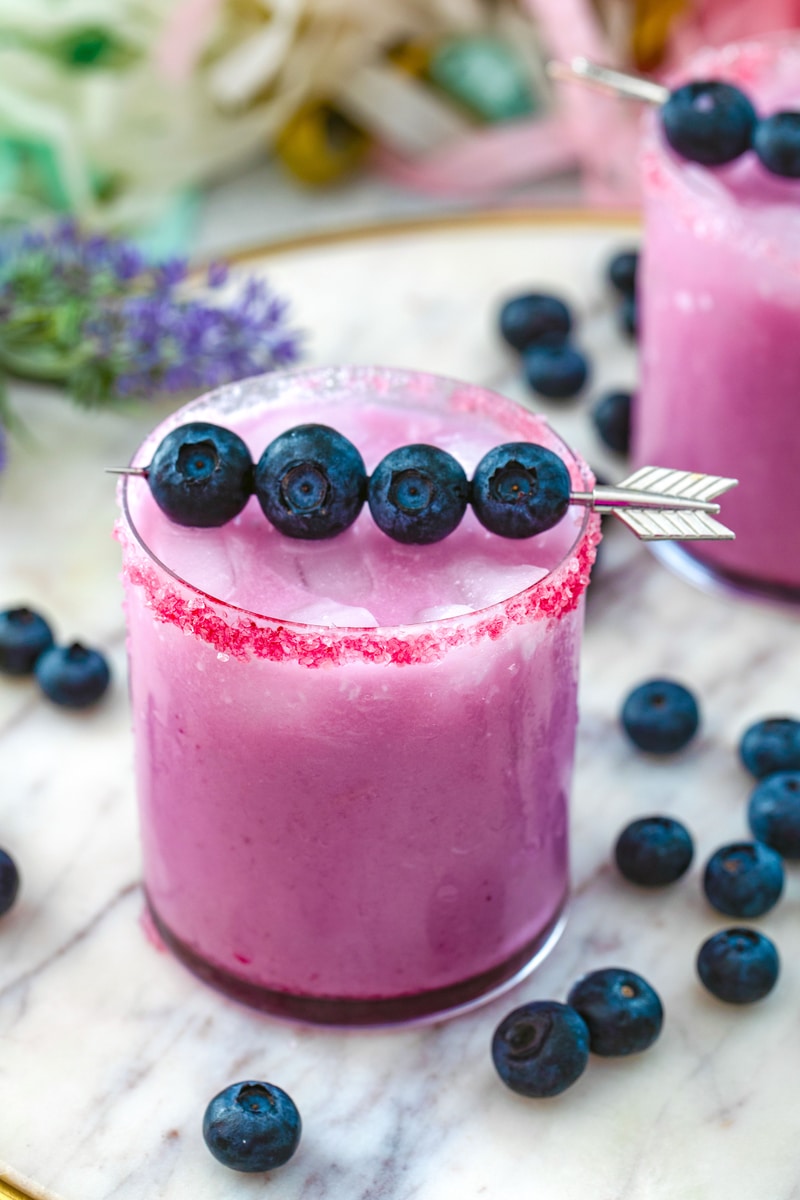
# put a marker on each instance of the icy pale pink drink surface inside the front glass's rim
(362, 578)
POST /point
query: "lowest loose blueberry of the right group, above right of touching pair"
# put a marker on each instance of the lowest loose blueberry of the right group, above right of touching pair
(738, 965)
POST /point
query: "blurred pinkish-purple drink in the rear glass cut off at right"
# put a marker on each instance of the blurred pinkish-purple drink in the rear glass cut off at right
(720, 309)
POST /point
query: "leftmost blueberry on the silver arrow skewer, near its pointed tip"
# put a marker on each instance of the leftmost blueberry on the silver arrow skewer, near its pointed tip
(201, 476)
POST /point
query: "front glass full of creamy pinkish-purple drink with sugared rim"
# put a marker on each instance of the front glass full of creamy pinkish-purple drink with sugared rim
(345, 796)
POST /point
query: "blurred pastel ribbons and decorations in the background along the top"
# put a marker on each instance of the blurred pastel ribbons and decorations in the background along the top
(212, 124)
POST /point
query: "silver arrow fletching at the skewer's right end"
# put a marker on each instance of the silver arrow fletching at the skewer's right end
(661, 505)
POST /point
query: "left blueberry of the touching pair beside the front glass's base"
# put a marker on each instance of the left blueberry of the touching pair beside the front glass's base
(542, 1048)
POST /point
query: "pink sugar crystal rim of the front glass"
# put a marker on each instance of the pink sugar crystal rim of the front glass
(240, 634)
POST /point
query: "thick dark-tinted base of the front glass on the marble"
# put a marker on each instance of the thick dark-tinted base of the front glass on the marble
(423, 1007)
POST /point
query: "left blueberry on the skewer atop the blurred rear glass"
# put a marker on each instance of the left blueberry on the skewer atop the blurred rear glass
(709, 123)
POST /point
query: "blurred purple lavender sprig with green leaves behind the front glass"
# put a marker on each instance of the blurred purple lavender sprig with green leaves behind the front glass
(92, 314)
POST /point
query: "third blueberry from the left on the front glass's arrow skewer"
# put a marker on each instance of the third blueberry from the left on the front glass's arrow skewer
(418, 494)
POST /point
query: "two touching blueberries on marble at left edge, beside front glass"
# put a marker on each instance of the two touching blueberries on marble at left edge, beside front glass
(73, 676)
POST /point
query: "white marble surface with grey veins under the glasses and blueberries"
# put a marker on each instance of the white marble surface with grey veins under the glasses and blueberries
(110, 1051)
